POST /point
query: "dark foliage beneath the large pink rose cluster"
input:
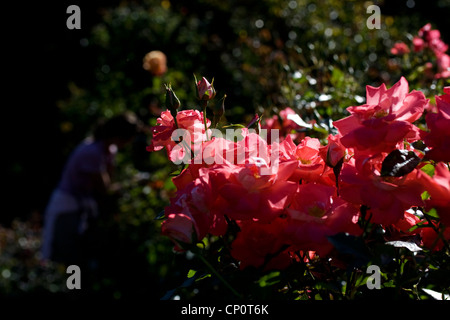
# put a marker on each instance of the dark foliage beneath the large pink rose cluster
(404, 273)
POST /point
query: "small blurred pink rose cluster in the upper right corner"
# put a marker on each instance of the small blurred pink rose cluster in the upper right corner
(428, 38)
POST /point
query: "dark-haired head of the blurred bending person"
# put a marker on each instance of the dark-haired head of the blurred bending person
(118, 130)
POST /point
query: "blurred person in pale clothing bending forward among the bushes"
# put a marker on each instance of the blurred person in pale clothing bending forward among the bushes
(85, 182)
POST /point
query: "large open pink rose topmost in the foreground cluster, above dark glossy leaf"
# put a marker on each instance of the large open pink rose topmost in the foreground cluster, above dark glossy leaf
(384, 121)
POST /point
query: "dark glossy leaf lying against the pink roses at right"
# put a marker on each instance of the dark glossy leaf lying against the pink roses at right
(398, 163)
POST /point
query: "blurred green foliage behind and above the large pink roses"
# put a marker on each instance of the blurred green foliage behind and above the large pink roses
(313, 56)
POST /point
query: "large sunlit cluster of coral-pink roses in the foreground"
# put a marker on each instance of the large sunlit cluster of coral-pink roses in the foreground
(313, 191)
